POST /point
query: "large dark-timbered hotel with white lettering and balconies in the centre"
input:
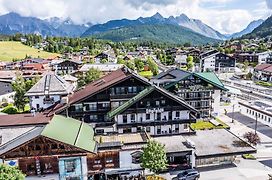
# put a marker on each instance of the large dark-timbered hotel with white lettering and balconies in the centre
(96, 102)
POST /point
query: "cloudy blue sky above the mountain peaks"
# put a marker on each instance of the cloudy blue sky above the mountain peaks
(226, 16)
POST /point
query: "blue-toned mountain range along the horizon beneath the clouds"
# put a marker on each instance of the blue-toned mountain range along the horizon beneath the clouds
(12, 23)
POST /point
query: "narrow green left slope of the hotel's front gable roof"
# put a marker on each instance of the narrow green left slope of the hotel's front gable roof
(127, 104)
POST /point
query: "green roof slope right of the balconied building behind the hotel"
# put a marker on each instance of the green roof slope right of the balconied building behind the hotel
(211, 78)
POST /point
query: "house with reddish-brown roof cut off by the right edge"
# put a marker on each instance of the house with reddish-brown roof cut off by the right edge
(263, 72)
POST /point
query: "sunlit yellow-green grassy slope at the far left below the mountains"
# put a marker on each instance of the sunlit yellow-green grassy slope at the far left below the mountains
(10, 50)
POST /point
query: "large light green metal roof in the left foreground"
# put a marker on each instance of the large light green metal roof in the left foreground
(70, 131)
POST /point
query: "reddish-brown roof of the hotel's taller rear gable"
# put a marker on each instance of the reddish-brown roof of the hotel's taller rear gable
(99, 85)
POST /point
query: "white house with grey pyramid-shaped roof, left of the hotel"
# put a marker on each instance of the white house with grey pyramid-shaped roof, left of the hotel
(50, 89)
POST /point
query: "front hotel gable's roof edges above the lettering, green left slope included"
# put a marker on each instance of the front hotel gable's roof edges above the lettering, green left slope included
(144, 93)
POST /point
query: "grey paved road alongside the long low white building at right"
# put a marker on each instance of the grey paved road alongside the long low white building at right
(249, 122)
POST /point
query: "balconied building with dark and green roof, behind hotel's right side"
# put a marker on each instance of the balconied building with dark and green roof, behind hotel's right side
(201, 90)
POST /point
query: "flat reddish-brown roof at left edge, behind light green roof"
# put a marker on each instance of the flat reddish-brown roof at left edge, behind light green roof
(23, 119)
